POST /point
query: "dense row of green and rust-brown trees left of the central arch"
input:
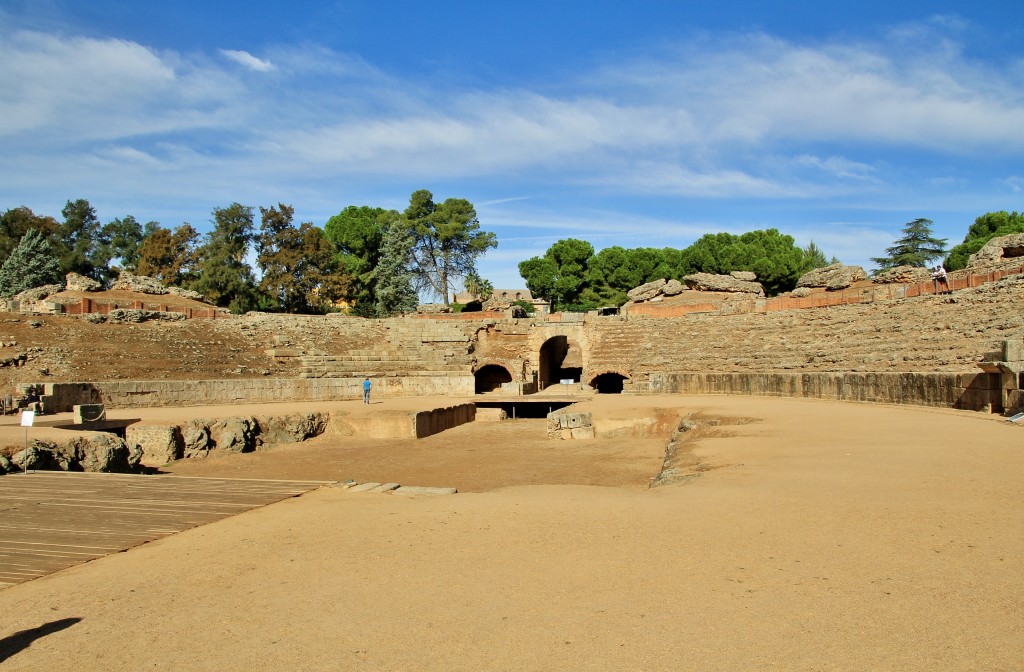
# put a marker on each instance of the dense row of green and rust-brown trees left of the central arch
(375, 261)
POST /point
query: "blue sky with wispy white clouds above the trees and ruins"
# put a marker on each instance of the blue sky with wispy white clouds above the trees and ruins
(621, 123)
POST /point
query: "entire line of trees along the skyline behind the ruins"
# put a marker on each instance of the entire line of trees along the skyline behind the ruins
(377, 262)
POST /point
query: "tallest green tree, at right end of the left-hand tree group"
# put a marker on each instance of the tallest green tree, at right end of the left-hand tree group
(447, 241)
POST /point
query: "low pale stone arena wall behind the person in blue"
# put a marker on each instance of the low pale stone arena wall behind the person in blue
(147, 394)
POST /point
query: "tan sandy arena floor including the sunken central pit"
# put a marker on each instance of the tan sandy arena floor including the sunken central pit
(818, 536)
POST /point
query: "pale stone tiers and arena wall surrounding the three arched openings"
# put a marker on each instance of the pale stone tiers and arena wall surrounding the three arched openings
(922, 351)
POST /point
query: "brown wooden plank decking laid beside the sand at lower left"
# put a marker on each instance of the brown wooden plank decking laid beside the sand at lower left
(53, 520)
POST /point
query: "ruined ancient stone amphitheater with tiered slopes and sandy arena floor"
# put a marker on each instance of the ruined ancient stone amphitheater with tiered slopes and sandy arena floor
(829, 483)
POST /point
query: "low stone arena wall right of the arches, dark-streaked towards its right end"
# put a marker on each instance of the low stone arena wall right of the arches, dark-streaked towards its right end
(973, 392)
